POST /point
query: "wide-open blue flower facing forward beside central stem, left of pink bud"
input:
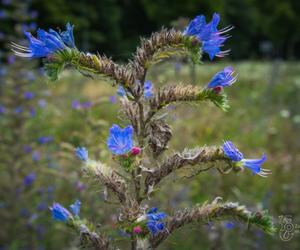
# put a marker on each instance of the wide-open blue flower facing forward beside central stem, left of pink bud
(120, 141)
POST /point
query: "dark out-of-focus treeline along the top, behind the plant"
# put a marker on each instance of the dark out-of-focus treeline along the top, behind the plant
(264, 28)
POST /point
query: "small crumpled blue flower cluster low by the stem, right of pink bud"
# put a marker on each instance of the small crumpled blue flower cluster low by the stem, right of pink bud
(155, 222)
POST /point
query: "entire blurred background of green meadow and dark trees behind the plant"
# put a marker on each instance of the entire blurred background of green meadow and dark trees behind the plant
(42, 122)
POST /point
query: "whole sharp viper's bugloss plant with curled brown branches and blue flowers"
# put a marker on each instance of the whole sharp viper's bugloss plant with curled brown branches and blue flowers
(145, 138)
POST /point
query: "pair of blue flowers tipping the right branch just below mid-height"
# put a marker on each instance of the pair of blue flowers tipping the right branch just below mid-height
(253, 164)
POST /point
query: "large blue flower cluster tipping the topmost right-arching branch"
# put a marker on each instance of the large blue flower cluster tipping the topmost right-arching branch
(212, 39)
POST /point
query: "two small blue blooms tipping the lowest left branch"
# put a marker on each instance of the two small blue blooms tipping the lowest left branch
(60, 213)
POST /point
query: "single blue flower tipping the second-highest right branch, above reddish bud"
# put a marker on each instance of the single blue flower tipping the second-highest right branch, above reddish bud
(223, 78)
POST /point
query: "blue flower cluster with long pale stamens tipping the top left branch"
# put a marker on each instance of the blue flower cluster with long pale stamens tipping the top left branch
(46, 43)
